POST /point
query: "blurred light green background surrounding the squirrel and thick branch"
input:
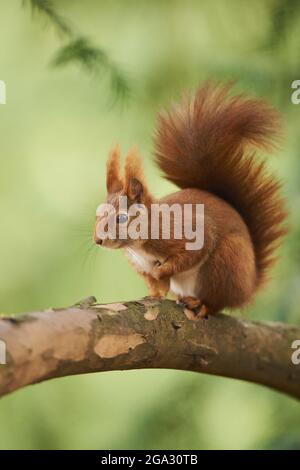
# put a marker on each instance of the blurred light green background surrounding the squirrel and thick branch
(55, 132)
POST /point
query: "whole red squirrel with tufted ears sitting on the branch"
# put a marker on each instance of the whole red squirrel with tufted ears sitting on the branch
(204, 146)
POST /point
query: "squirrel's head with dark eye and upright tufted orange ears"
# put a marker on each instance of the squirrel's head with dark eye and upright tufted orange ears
(127, 202)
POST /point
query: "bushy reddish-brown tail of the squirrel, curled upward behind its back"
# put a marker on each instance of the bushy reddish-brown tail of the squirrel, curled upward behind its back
(202, 144)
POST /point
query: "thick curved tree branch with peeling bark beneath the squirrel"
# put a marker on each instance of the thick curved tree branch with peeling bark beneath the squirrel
(145, 334)
